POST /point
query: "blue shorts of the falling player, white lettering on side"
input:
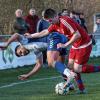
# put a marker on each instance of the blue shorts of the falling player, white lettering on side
(54, 39)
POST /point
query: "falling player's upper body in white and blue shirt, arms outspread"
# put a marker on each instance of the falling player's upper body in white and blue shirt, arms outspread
(25, 47)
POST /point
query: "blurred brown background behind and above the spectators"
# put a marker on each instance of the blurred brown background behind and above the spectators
(8, 7)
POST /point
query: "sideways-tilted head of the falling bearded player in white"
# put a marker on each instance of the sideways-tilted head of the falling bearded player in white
(21, 51)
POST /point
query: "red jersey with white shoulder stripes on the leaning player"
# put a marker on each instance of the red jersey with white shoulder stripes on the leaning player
(68, 27)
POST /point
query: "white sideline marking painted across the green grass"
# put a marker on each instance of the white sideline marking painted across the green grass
(17, 83)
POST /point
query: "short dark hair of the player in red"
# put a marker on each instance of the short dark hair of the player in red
(49, 13)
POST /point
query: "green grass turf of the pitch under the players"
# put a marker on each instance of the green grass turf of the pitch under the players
(44, 89)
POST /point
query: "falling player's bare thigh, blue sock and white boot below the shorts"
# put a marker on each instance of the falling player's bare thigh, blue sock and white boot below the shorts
(59, 66)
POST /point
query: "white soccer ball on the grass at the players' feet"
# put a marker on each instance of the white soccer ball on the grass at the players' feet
(59, 89)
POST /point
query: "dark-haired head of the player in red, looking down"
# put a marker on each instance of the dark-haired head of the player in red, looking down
(51, 16)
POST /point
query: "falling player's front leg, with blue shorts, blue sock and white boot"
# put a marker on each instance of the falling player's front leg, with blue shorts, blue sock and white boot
(53, 54)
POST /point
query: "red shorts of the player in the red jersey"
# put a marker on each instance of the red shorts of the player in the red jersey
(81, 56)
